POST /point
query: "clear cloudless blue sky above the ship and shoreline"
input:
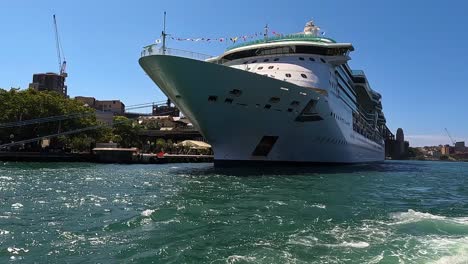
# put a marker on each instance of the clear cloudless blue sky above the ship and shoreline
(413, 52)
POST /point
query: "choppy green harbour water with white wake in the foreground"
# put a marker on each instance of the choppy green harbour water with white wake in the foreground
(395, 212)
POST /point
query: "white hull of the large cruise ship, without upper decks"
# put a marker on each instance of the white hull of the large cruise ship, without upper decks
(235, 128)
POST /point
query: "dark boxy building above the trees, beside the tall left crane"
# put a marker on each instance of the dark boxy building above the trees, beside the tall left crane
(49, 82)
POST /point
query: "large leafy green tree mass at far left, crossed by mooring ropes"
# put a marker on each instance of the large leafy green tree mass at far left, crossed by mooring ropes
(20, 105)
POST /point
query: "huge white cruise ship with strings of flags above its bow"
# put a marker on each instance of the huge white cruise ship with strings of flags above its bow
(283, 99)
